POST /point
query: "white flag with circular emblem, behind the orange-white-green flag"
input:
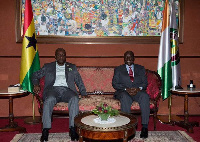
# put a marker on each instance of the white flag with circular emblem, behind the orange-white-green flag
(176, 70)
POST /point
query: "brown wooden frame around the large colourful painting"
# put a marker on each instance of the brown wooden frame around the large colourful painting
(56, 39)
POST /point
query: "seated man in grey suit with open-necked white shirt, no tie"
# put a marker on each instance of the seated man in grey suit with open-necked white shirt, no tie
(60, 79)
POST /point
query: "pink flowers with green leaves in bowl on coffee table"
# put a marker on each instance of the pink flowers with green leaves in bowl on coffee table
(104, 111)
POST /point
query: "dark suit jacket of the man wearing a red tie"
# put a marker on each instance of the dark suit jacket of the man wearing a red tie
(121, 79)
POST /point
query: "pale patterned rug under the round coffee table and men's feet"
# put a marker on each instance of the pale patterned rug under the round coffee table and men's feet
(154, 136)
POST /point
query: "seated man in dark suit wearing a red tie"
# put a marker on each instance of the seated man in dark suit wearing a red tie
(130, 83)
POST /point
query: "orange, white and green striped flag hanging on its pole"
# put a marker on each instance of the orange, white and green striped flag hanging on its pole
(164, 57)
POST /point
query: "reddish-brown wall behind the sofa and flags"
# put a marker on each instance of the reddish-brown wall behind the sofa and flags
(146, 54)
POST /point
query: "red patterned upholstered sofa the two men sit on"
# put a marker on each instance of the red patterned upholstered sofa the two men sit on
(98, 83)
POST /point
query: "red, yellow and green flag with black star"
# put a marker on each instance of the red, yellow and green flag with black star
(30, 57)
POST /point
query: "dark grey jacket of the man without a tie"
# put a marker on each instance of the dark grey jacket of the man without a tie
(49, 72)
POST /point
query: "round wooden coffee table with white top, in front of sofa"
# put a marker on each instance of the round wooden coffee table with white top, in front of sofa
(123, 127)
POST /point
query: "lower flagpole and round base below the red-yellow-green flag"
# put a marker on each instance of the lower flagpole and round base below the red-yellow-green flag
(33, 119)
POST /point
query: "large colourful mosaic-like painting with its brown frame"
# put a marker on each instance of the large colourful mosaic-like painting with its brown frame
(98, 21)
